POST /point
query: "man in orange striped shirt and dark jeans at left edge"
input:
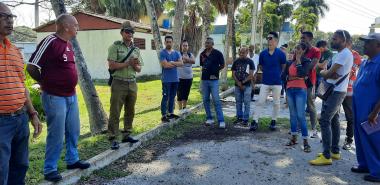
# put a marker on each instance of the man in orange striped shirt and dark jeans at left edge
(15, 105)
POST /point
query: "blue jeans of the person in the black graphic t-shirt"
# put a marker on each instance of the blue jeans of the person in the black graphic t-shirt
(243, 97)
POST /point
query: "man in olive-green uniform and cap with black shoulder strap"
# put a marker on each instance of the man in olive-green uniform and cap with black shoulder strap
(125, 60)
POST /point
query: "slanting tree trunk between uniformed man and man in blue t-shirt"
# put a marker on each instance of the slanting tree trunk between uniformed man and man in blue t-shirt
(154, 25)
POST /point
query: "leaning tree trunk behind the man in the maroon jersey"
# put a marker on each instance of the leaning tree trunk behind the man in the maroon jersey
(97, 117)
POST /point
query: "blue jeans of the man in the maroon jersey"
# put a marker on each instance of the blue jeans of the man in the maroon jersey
(62, 117)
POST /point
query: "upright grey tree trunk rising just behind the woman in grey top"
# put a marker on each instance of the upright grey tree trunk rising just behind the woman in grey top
(178, 23)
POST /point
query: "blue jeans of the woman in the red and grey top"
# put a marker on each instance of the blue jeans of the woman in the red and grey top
(297, 103)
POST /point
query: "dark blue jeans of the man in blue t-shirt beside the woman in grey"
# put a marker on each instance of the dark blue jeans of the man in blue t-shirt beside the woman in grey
(169, 90)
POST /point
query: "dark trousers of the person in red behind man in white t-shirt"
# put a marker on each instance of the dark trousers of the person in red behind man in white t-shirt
(347, 107)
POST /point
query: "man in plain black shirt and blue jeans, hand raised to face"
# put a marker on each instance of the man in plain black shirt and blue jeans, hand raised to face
(212, 62)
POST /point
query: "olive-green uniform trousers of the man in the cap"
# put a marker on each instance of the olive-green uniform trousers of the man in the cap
(122, 93)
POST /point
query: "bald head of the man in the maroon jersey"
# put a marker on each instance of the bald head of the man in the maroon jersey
(67, 26)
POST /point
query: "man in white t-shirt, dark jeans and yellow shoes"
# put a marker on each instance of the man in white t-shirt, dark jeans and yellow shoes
(329, 121)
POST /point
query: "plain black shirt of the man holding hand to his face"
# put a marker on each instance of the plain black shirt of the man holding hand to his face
(211, 64)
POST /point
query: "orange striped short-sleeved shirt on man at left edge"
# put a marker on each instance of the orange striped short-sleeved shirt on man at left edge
(12, 88)
